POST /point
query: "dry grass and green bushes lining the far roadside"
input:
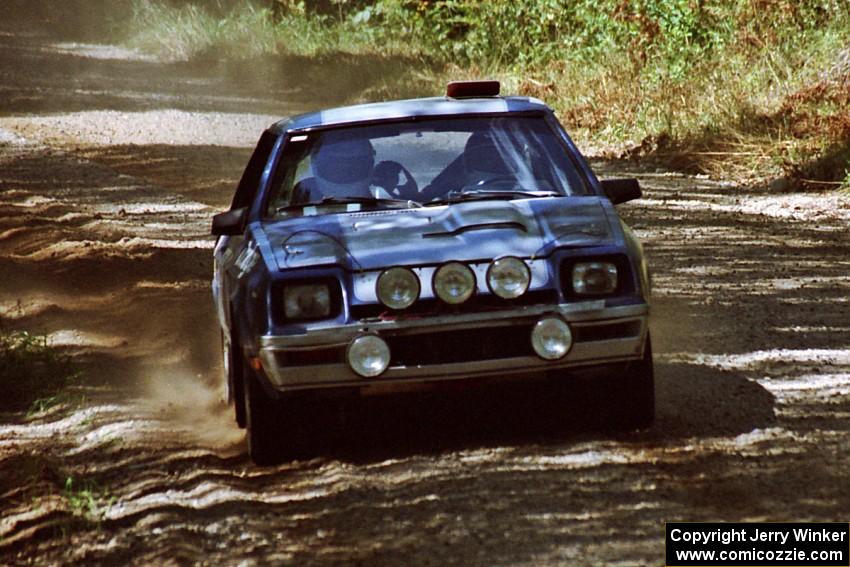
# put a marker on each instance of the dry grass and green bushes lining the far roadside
(758, 89)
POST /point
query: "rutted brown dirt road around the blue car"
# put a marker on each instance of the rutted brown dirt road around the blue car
(111, 166)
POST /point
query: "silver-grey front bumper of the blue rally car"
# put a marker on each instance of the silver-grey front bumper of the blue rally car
(610, 335)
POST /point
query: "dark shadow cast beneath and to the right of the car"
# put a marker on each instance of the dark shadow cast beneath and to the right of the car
(692, 402)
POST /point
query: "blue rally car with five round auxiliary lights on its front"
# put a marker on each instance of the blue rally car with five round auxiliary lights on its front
(389, 246)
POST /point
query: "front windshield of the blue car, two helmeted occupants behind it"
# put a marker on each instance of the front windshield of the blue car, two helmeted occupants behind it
(421, 163)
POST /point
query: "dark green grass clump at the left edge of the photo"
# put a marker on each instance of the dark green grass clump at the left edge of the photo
(32, 373)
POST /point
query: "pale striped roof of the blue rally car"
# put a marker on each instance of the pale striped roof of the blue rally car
(401, 109)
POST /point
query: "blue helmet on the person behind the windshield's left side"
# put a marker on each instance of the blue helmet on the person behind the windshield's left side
(342, 161)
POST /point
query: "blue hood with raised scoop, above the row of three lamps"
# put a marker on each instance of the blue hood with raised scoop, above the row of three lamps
(475, 230)
